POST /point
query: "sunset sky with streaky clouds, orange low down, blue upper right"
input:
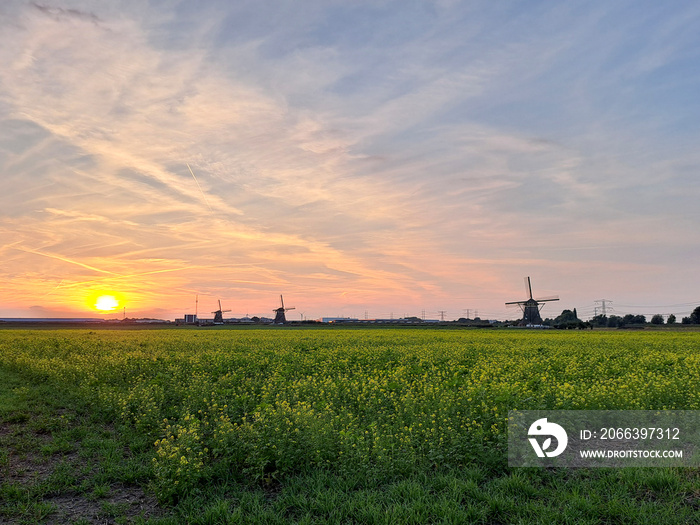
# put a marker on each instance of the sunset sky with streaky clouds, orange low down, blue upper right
(363, 158)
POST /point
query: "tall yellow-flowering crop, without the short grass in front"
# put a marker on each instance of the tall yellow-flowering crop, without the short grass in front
(266, 406)
